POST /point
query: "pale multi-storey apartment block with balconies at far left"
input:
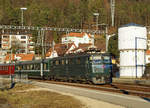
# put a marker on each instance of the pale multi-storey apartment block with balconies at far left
(22, 43)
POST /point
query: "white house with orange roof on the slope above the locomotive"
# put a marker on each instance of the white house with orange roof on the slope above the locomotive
(78, 38)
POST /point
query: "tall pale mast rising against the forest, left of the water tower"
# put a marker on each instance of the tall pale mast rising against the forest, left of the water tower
(112, 4)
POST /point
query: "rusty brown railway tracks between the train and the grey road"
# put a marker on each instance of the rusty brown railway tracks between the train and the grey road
(135, 90)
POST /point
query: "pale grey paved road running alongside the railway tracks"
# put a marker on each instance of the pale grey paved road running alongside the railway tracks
(114, 98)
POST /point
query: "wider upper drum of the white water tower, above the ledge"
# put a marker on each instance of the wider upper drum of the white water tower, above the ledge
(129, 34)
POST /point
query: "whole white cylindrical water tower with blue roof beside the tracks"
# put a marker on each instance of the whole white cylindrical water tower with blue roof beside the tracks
(132, 45)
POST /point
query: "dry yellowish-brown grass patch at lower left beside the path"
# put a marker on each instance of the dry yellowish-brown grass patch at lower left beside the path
(15, 98)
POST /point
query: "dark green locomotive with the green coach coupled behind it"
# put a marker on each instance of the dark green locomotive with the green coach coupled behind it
(93, 68)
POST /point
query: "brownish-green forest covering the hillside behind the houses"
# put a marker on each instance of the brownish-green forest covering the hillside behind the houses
(74, 14)
